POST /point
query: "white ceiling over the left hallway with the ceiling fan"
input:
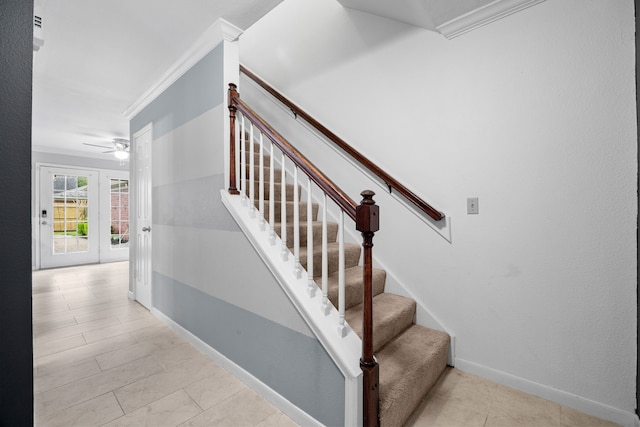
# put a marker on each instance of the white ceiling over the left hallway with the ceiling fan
(99, 56)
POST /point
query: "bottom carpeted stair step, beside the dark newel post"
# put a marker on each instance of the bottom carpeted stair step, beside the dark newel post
(409, 366)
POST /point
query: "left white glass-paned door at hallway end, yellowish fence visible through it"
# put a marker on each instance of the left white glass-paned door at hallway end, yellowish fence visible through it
(68, 214)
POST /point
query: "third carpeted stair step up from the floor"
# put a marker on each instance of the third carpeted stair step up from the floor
(353, 285)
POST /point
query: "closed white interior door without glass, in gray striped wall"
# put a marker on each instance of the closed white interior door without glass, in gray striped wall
(143, 283)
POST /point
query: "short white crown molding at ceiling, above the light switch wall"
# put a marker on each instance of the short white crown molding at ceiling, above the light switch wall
(482, 16)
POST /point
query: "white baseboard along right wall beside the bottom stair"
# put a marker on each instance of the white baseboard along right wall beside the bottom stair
(596, 409)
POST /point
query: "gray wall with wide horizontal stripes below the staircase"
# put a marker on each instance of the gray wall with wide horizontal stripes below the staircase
(206, 275)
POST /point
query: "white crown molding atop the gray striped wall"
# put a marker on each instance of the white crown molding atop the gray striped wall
(219, 31)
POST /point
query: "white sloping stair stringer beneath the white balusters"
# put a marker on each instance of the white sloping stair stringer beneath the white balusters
(344, 351)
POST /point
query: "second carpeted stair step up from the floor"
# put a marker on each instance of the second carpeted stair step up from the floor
(392, 314)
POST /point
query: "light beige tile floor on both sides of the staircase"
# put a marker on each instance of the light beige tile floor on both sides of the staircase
(103, 360)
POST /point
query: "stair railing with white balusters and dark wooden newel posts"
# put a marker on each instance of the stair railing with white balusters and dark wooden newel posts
(244, 122)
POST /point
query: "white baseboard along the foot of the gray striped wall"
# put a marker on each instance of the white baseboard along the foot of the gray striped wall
(277, 400)
